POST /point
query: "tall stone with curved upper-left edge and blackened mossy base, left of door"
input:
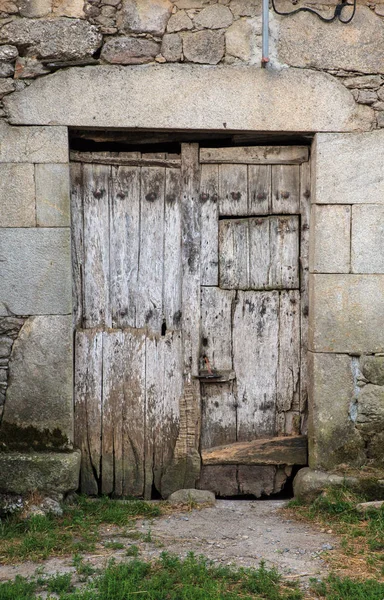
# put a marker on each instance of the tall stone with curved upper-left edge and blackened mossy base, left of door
(38, 412)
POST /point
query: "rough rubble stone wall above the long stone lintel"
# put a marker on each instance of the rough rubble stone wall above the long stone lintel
(41, 36)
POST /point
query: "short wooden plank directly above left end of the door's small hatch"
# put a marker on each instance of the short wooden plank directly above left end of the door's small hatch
(233, 190)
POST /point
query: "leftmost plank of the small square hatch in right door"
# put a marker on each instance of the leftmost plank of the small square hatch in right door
(234, 253)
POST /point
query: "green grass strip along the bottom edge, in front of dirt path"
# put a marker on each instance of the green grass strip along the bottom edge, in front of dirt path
(170, 578)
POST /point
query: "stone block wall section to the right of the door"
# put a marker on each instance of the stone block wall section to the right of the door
(346, 339)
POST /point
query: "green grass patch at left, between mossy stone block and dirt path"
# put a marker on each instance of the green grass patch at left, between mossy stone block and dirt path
(76, 531)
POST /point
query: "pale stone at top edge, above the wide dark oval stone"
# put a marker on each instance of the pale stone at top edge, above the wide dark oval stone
(144, 16)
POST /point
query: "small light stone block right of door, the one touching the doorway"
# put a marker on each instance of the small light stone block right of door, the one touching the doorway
(330, 239)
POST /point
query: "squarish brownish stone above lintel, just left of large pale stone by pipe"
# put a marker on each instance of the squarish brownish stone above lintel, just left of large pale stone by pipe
(206, 47)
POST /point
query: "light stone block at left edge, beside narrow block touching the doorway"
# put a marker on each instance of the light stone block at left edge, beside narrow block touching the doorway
(17, 195)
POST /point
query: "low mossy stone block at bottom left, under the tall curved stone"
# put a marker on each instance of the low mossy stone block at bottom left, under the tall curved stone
(22, 473)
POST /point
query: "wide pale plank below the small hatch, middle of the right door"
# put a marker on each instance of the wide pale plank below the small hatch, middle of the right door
(255, 358)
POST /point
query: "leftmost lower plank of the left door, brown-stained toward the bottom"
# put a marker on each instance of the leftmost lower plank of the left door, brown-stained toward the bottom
(88, 407)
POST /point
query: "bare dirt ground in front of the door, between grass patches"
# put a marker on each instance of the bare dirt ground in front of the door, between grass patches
(233, 532)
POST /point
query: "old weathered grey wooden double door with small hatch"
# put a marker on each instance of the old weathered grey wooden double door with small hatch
(190, 315)
